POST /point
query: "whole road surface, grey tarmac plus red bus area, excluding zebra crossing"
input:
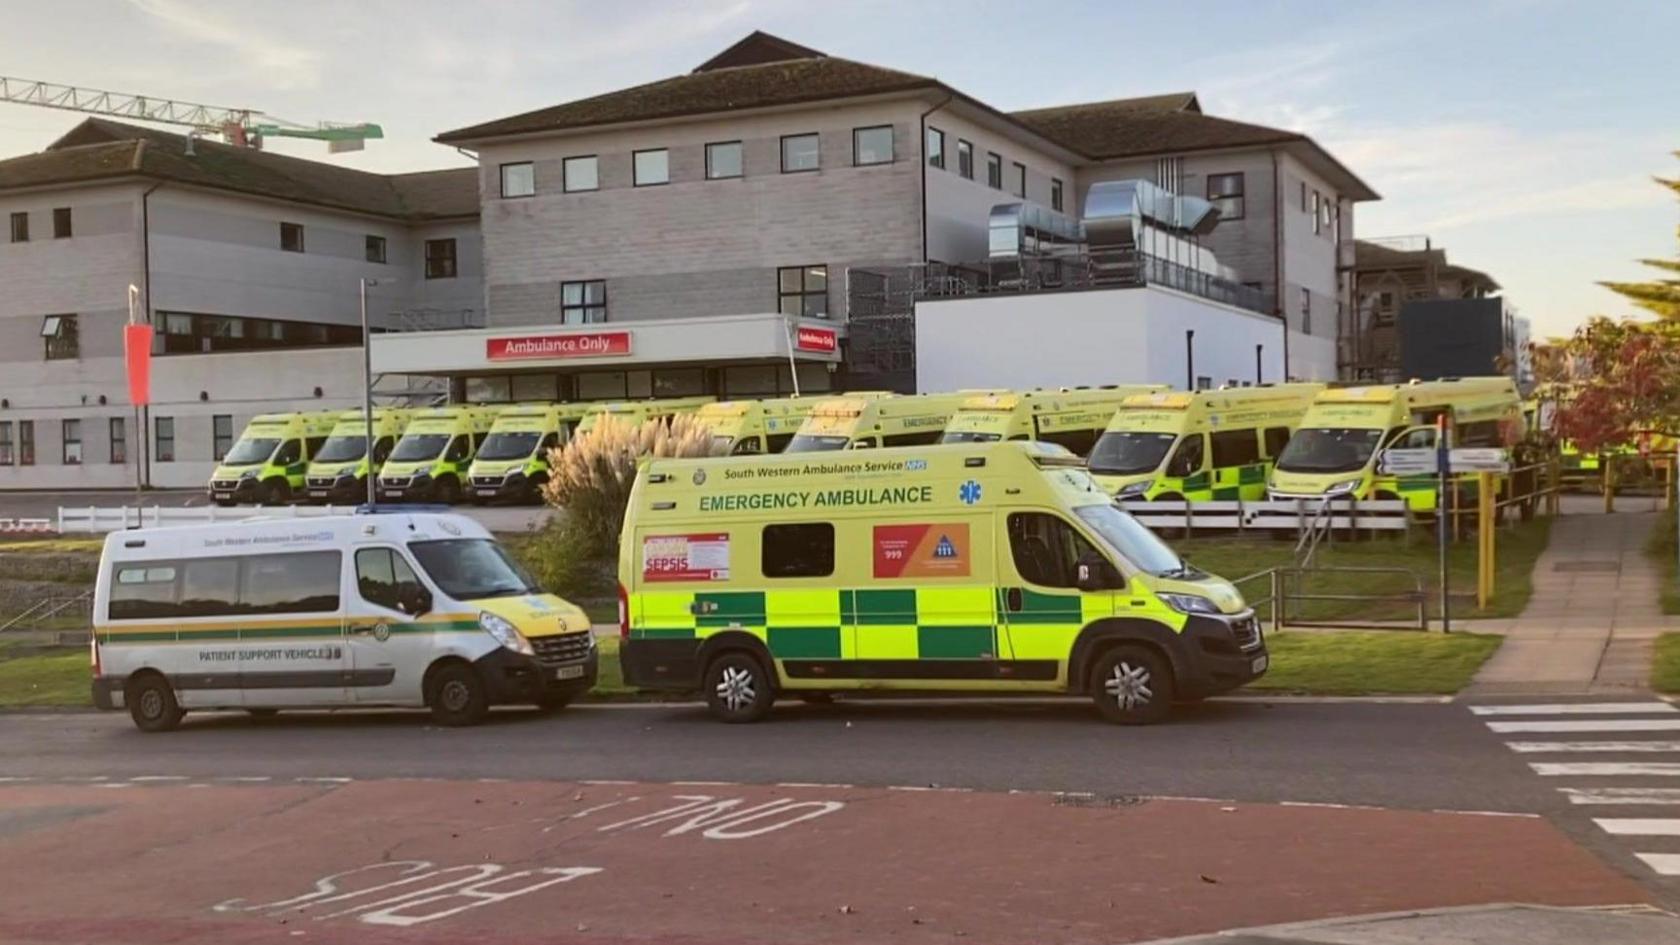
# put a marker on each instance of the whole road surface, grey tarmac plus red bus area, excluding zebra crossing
(863, 821)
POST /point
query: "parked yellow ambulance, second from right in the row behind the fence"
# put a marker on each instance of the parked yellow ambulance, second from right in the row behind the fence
(1199, 446)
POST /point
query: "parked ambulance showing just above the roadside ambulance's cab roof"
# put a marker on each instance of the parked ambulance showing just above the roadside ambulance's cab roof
(1073, 418)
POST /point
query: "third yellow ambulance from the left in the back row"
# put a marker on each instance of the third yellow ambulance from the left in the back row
(431, 462)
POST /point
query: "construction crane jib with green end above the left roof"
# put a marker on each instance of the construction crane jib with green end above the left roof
(243, 127)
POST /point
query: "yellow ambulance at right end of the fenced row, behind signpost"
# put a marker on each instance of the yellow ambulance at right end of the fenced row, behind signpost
(1336, 450)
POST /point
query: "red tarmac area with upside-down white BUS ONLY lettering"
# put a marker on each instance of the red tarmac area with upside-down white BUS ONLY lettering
(424, 862)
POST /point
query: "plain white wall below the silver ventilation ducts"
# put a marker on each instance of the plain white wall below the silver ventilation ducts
(1105, 337)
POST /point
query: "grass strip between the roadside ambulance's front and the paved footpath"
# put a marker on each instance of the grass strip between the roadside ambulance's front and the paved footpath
(1358, 663)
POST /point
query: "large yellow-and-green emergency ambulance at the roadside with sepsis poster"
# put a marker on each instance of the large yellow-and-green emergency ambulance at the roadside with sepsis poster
(999, 569)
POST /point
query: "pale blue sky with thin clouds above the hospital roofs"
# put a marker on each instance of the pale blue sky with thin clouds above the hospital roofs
(1520, 135)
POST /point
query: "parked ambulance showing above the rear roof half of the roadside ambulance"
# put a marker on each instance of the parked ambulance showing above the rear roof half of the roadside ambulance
(871, 421)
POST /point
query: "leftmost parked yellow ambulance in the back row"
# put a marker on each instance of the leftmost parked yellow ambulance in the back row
(270, 463)
